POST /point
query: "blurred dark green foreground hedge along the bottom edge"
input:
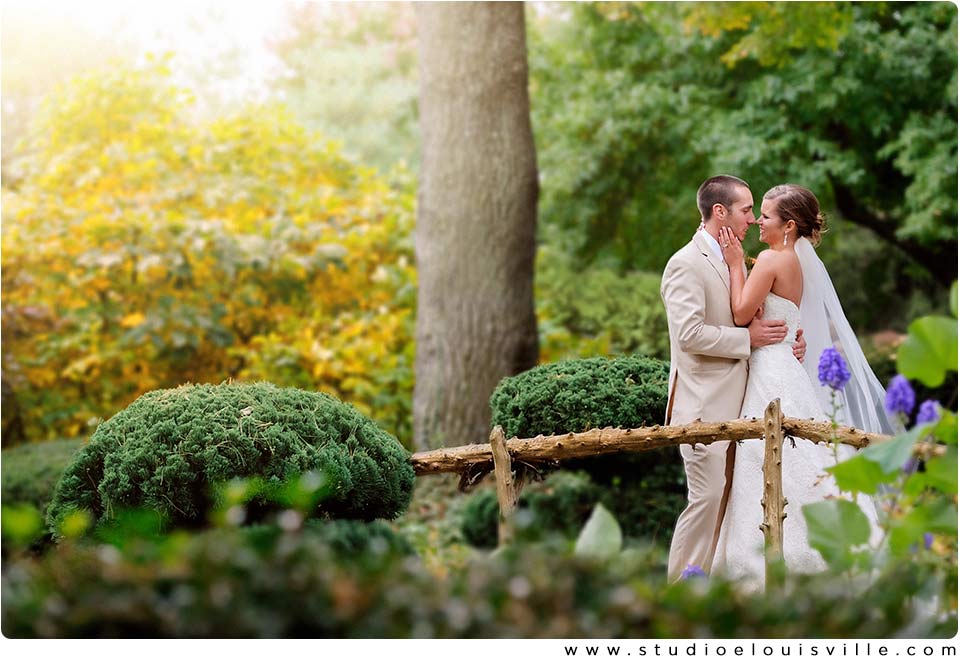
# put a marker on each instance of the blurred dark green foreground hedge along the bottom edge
(230, 583)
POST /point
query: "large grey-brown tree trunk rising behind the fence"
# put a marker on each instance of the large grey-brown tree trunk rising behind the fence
(476, 217)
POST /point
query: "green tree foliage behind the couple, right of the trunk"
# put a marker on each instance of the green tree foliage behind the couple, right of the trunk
(634, 104)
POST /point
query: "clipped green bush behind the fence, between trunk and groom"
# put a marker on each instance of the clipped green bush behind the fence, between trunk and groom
(645, 491)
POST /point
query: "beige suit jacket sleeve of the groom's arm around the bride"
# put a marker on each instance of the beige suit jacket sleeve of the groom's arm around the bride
(683, 296)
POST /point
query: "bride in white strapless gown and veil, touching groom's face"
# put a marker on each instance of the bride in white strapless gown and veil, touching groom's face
(789, 282)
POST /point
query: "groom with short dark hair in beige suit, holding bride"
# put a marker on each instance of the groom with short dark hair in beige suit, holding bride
(708, 363)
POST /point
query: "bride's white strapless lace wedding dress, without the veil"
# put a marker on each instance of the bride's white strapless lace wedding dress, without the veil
(776, 373)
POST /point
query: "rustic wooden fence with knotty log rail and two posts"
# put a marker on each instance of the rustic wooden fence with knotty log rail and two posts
(509, 458)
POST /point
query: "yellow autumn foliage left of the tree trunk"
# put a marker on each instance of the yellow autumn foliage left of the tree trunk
(143, 248)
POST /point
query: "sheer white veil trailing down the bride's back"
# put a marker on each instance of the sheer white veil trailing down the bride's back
(862, 400)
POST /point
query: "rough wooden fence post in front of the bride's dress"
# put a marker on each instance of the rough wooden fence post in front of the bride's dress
(773, 501)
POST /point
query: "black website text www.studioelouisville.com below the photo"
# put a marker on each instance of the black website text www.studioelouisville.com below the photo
(793, 649)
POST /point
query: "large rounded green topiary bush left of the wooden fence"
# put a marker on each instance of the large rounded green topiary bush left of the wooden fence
(170, 448)
